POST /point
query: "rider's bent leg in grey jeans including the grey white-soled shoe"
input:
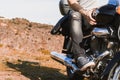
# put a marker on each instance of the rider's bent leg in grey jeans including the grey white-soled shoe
(77, 36)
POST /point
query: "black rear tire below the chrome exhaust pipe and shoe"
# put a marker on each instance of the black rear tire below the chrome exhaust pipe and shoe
(73, 75)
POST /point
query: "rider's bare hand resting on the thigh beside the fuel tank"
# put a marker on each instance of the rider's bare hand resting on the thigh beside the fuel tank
(88, 16)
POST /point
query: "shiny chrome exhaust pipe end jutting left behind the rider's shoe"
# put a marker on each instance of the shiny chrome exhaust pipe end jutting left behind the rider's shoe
(62, 58)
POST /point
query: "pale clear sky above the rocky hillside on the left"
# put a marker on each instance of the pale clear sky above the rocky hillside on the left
(41, 11)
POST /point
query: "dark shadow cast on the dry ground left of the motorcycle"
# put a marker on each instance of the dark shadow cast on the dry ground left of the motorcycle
(34, 71)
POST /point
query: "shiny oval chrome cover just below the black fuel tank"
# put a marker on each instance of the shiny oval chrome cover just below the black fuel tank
(100, 32)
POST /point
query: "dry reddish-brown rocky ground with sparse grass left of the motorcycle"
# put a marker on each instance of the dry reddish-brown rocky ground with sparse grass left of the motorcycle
(25, 51)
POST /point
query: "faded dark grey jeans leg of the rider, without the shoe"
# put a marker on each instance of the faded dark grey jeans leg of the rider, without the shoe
(76, 34)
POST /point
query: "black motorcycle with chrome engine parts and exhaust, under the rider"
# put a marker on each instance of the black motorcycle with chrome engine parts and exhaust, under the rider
(101, 43)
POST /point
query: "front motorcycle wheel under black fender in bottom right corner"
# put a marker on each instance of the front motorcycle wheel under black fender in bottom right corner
(115, 72)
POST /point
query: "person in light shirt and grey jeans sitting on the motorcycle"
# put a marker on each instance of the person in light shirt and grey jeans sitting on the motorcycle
(83, 9)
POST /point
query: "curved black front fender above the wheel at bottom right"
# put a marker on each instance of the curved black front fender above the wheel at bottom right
(115, 59)
